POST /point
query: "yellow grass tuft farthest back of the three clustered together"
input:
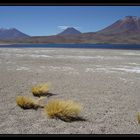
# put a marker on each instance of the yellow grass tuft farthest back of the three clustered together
(40, 90)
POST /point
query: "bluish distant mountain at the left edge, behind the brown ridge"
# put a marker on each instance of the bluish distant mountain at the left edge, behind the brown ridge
(11, 33)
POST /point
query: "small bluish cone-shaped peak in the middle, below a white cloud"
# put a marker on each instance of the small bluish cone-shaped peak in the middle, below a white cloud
(70, 31)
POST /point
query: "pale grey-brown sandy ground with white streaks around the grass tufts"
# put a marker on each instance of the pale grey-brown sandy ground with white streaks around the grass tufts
(105, 82)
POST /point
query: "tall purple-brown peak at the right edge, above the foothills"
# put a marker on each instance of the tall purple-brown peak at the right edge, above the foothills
(127, 25)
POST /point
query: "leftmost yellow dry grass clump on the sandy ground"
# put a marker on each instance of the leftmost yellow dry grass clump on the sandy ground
(27, 103)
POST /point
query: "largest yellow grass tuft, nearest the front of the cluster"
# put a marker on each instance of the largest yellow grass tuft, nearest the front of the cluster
(66, 110)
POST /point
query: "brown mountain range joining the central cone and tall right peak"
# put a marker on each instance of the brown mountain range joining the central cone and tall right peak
(123, 31)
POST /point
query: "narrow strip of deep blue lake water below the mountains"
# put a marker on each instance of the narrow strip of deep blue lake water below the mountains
(89, 46)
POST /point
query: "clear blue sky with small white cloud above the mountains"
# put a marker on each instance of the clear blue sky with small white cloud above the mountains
(51, 20)
